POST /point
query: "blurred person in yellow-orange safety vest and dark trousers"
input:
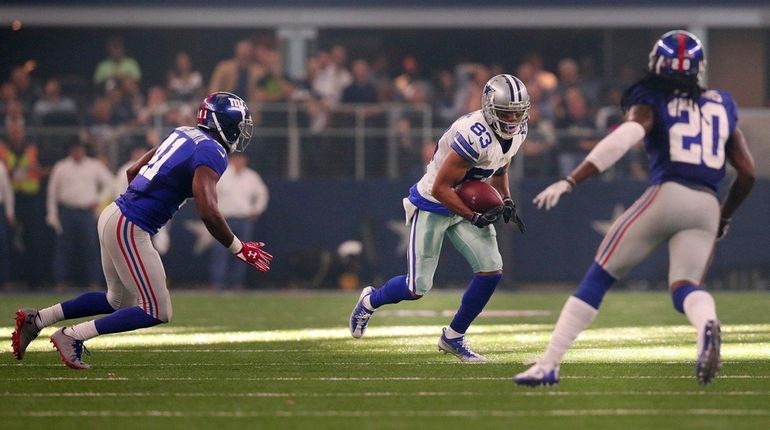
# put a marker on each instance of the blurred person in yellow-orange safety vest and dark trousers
(22, 161)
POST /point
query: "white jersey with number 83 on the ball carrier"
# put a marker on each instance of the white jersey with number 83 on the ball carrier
(471, 138)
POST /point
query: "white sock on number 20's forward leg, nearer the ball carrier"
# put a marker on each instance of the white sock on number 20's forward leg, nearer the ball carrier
(575, 317)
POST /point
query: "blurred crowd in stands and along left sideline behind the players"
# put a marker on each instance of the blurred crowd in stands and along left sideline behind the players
(62, 138)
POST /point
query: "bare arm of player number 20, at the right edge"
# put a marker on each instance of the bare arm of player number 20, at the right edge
(739, 156)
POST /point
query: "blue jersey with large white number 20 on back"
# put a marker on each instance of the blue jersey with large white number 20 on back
(687, 142)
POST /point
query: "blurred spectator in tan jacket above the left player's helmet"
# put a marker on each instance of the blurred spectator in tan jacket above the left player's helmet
(238, 75)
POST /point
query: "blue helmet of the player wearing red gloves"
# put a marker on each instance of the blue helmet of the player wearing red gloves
(229, 116)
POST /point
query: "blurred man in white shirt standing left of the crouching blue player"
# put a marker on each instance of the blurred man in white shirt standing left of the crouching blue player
(78, 186)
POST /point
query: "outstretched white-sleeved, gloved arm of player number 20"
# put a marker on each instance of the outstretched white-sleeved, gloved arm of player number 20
(639, 122)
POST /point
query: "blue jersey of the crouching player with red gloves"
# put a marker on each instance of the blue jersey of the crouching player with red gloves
(165, 182)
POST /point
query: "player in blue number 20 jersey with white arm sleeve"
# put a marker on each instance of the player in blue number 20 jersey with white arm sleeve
(689, 133)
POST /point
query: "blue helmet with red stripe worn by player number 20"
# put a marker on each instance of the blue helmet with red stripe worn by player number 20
(678, 53)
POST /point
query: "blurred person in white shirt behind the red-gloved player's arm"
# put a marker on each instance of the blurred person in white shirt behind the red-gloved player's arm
(243, 197)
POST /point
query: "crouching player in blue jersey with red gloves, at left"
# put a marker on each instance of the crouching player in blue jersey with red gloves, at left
(188, 163)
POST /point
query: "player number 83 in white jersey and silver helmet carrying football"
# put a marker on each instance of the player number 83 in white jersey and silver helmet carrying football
(478, 146)
